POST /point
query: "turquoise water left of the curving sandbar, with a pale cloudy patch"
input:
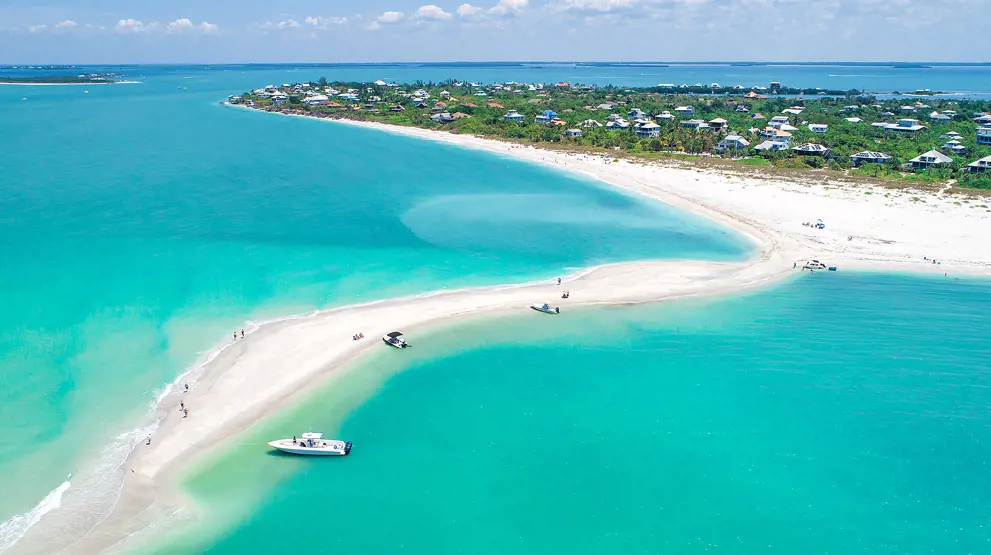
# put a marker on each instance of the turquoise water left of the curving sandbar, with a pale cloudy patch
(141, 224)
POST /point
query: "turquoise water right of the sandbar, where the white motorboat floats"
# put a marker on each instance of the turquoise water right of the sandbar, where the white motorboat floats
(840, 413)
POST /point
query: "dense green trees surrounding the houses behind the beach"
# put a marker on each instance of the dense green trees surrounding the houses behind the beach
(574, 105)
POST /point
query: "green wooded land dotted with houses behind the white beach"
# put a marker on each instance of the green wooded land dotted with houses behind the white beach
(925, 139)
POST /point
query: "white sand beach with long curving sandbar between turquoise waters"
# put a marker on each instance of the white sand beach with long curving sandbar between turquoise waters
(866, 228)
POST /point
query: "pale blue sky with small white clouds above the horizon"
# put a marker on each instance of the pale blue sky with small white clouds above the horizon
(152, 31)
